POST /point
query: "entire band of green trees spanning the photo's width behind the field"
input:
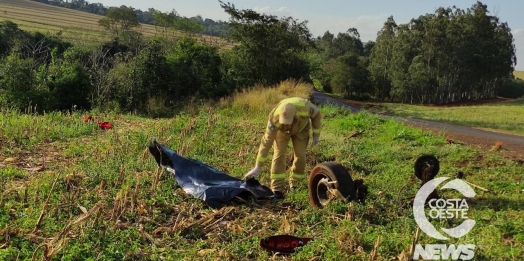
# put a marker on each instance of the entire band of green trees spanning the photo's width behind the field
(443, 57)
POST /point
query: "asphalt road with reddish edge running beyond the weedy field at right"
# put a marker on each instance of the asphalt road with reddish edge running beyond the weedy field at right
(513, 145)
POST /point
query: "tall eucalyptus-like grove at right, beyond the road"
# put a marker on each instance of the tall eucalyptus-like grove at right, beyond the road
(448, 56)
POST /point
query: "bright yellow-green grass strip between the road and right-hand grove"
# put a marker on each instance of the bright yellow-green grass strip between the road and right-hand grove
(503, 116)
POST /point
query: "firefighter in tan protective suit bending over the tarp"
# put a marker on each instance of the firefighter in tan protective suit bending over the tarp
(292, 119)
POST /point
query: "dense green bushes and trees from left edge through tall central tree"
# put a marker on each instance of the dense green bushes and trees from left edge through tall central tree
(152, 76)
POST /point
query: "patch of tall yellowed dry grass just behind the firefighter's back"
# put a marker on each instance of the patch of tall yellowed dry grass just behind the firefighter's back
(261, 99)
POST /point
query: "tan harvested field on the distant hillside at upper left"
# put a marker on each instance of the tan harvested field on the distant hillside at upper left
(74, 25)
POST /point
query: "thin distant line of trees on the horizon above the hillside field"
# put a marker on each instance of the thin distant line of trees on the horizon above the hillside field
(205, 26)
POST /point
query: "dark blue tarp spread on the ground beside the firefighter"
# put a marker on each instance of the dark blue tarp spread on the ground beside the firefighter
(204, 182)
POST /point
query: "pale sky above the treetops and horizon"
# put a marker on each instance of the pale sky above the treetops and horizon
(367, 16)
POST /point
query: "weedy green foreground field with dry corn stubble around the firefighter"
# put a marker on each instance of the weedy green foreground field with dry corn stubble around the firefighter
(71, 191)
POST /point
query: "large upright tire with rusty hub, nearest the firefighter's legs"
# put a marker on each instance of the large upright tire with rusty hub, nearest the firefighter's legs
(332, 171)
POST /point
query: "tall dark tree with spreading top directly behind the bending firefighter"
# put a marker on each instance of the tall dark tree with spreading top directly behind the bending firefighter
(271, 49)
